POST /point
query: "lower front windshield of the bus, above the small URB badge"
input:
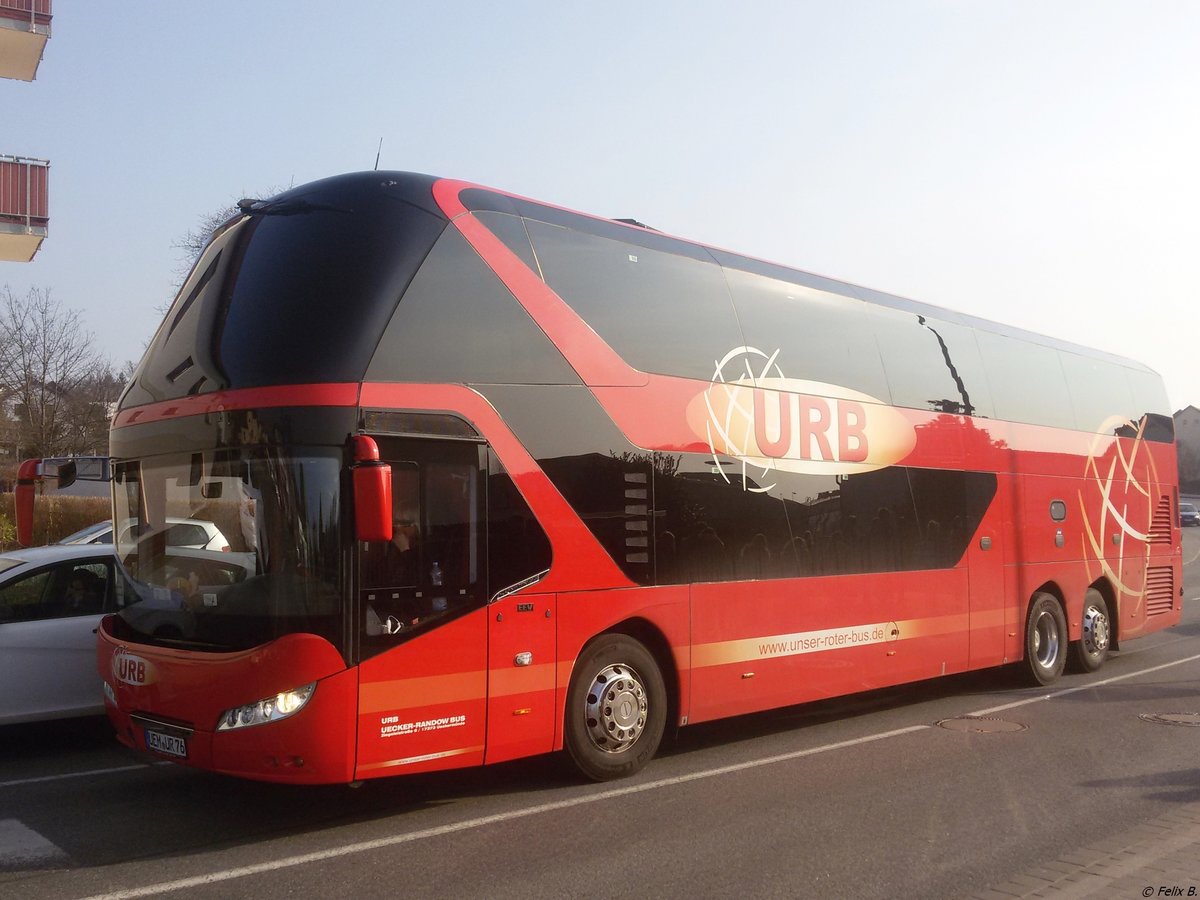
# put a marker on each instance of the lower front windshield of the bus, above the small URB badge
(229, 550)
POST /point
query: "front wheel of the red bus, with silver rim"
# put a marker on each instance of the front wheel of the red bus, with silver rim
(616, 709)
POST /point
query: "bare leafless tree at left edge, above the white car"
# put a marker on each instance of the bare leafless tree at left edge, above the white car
(57, 388)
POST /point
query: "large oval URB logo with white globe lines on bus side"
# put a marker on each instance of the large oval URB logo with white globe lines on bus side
(754, 413)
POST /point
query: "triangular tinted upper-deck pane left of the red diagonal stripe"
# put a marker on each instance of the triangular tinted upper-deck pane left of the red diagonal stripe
(459, 323)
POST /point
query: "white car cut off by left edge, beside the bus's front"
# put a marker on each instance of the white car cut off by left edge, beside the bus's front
(51, 603)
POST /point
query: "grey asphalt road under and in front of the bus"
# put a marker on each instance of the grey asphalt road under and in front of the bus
(861, 797)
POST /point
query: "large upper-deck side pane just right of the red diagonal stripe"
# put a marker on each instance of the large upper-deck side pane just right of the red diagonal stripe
(662, 313)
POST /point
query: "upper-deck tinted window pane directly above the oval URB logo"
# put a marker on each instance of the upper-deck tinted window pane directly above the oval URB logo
(820, 337)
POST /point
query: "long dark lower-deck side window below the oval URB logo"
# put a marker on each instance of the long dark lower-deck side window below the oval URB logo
(717, 527)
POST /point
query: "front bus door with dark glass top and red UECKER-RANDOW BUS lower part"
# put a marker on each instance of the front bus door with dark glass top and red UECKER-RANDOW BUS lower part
(421, 622)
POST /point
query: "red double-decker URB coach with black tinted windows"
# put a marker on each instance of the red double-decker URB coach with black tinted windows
(501, 479)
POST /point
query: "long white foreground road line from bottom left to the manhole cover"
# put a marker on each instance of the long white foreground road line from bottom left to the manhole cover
(367, 847)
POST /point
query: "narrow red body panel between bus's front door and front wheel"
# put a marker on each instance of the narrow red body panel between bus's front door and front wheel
(521, 676)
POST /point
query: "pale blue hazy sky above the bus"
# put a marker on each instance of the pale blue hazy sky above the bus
(1031, 163)
